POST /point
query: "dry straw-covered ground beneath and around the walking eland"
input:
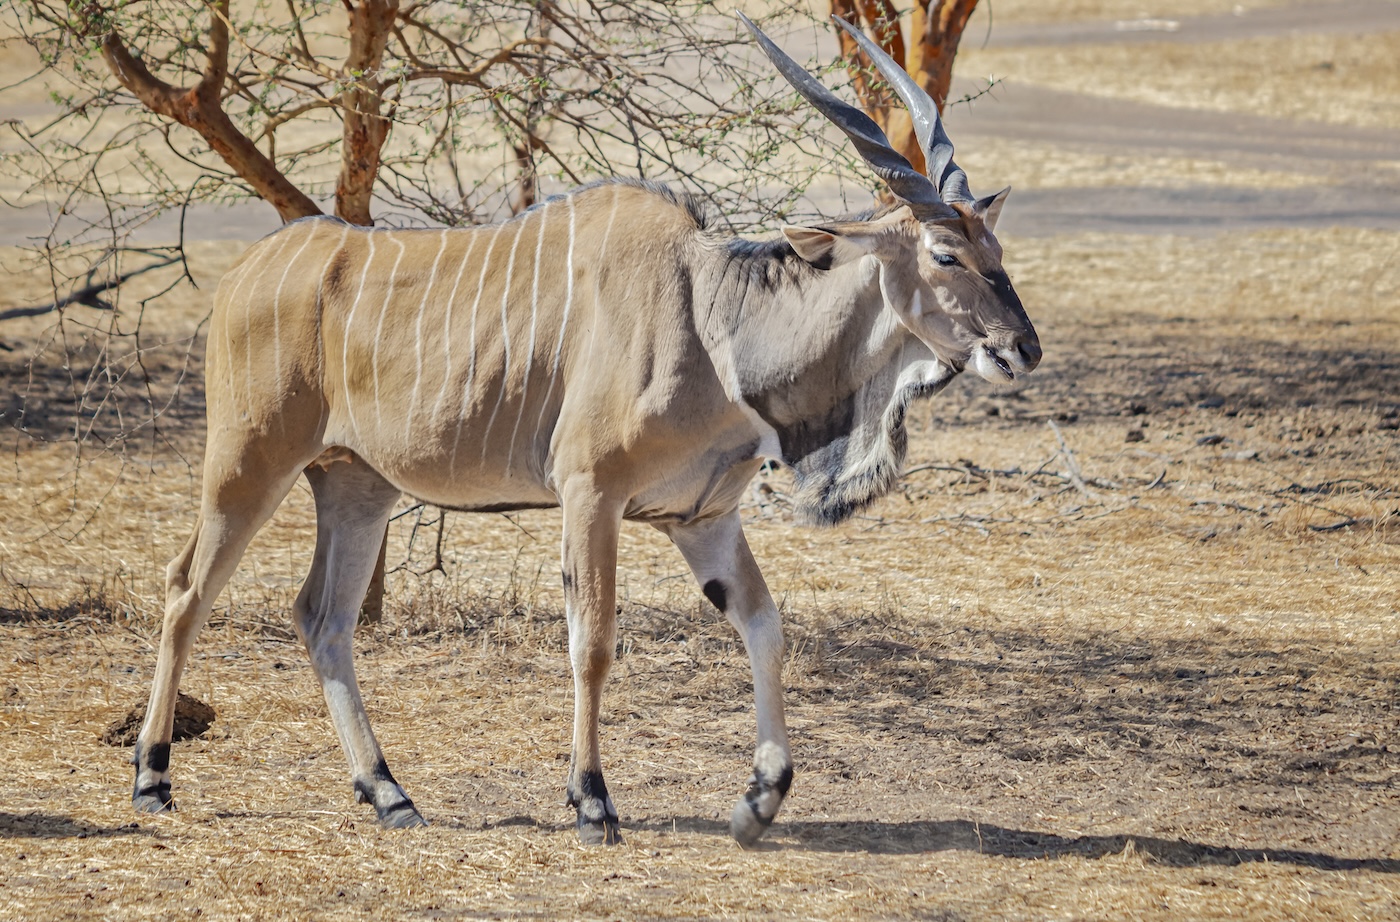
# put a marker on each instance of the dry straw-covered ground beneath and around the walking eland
(1137, 664)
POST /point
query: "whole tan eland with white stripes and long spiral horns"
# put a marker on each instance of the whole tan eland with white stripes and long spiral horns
(608, 353)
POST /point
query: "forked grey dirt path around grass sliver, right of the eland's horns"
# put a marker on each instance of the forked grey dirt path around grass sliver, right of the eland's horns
(1333, 155)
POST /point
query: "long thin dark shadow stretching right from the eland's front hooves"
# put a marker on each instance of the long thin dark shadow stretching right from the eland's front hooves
(965, 836)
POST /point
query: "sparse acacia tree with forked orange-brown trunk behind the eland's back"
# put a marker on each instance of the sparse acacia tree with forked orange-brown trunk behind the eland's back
(484, 96)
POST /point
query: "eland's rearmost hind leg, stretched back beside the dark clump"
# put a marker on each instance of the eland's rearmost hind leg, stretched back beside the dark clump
(244, 483)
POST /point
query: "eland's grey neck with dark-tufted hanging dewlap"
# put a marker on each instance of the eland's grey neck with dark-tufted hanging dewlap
(821, 359)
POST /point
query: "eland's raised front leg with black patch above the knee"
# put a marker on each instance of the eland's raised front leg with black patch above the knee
(720, 559)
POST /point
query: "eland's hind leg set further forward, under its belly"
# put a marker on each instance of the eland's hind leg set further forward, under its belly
(353, 506)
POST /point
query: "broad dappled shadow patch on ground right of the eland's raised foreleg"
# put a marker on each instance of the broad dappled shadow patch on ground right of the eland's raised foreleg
(1126, 696)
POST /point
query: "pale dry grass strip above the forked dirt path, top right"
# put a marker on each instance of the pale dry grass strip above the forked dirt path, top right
(1336, 79)
